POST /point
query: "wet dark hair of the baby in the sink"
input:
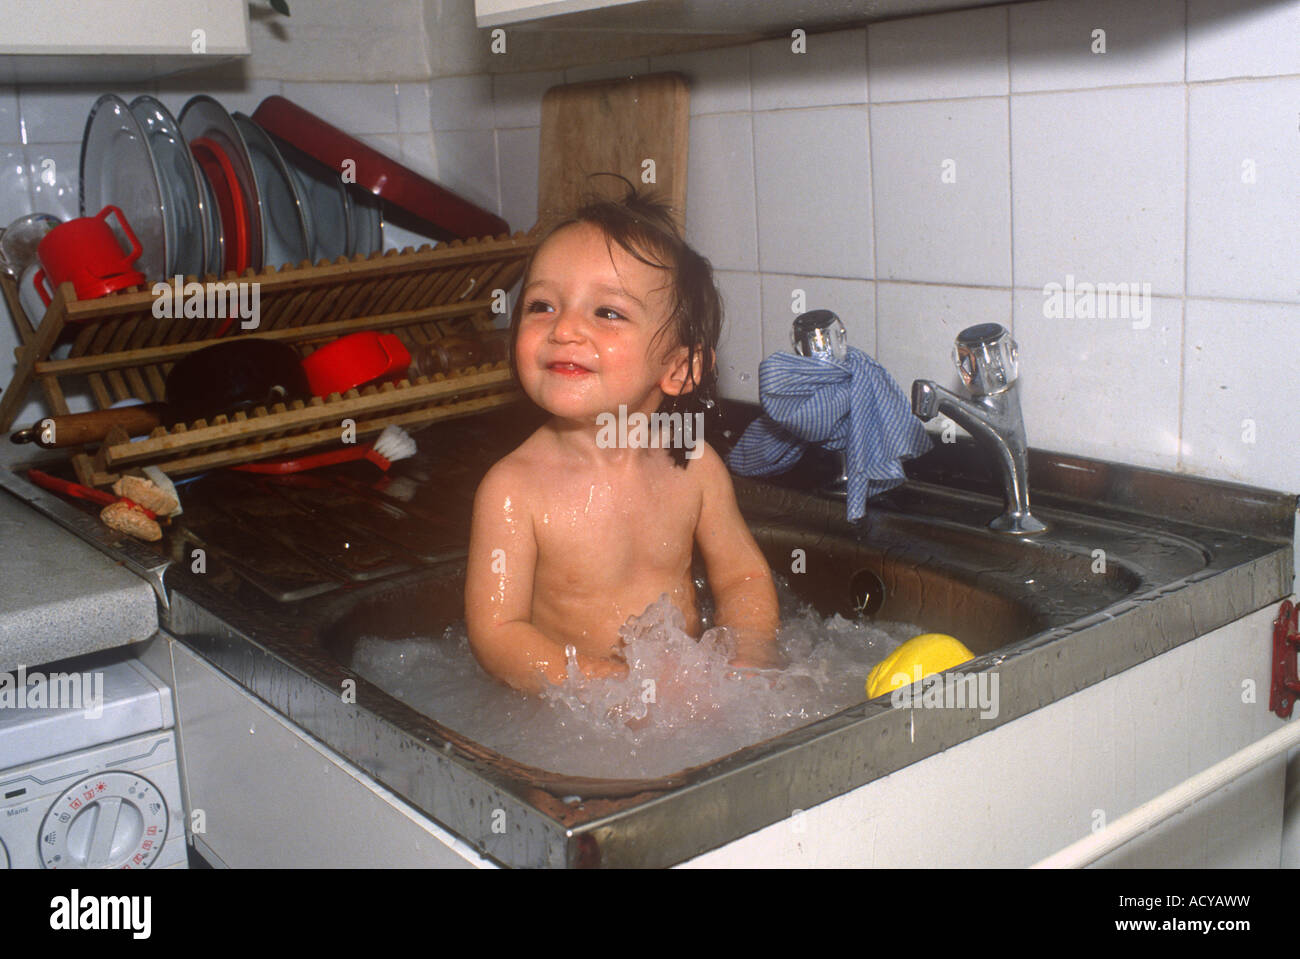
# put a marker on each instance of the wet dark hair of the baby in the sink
(643, 224)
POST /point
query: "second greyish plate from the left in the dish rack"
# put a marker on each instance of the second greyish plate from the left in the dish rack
(185, 228)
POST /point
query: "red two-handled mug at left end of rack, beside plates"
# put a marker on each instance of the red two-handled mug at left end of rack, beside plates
(86, 251)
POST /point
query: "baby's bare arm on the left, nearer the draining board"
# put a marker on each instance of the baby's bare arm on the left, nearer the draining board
(500, 591)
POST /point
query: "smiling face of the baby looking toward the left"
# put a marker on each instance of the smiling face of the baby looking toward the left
(587, 332)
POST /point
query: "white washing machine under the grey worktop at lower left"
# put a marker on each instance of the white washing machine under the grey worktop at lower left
(89, 774)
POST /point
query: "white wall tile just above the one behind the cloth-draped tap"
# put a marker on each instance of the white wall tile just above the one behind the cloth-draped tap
(814, 192)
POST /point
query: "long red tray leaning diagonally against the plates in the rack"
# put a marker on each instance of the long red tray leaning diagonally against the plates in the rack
(400, 186)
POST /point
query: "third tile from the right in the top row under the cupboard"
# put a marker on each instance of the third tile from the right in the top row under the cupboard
(939, 58)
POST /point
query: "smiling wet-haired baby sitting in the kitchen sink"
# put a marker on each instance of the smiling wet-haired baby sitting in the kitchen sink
(574, 532)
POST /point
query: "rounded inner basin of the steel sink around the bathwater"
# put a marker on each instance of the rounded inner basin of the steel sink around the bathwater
(922, 557)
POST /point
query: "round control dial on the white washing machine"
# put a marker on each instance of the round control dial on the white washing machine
(115, 821)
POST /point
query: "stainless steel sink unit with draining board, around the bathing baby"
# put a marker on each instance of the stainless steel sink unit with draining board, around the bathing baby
(1134, 563)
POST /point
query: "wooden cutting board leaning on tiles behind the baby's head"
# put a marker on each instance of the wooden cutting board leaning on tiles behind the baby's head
(635, 127)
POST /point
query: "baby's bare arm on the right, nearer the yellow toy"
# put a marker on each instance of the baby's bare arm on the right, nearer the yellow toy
(739, 575)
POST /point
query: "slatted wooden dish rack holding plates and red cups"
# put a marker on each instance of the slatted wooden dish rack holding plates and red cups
(124, 352)
